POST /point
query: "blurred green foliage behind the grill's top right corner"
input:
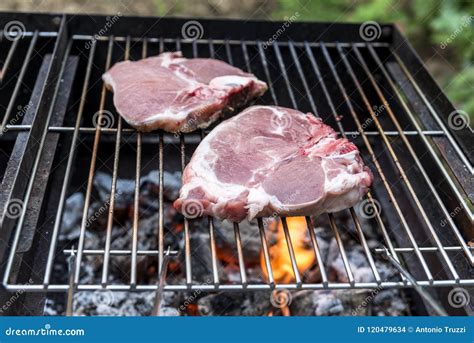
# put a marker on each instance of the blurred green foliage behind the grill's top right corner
(446, 26)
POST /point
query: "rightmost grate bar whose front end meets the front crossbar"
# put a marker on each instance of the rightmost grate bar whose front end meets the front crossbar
(397, 162)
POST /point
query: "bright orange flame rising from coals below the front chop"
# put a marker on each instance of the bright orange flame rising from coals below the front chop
(279, 256)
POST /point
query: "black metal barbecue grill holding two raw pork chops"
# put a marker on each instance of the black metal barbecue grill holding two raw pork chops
(374, 90)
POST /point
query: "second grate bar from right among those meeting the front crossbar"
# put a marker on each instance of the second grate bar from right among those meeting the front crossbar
(376, 162)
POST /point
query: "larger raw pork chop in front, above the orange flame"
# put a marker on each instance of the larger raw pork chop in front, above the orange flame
(272, 161)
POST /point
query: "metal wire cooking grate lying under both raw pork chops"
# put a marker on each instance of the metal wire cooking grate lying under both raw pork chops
(344, 83)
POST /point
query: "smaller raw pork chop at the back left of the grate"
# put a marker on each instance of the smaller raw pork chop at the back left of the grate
(176, 94)
